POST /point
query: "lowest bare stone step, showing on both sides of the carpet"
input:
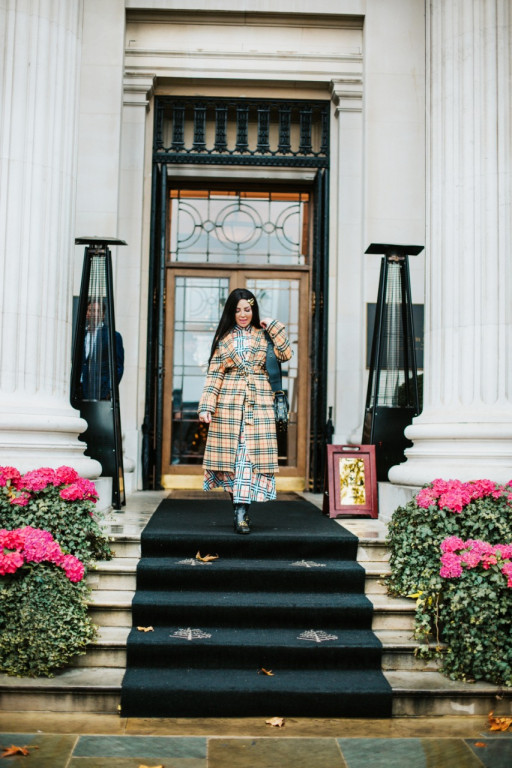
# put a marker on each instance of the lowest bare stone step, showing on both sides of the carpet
(97, 689)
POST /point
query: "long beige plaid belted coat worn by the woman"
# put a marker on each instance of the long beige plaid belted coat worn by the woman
(237, 389)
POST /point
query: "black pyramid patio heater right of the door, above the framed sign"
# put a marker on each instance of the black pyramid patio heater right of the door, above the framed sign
(392, 398)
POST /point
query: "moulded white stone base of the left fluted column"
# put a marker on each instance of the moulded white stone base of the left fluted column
(46, 436)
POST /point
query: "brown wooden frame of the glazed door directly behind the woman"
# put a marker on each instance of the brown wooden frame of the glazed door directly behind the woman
(290, 478)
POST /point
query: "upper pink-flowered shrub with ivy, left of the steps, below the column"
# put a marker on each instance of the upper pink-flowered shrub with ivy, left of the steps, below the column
(58, 501)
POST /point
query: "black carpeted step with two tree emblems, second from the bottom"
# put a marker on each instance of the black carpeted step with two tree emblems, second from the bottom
(214, 647)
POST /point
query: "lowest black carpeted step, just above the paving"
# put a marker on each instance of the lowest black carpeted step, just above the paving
(179, 692)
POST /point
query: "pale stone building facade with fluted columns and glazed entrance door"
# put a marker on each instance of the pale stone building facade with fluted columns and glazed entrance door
(263, 145)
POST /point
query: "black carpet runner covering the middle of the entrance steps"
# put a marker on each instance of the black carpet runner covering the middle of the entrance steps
(288, 598)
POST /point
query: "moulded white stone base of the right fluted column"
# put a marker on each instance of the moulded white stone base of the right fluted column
(456, 451)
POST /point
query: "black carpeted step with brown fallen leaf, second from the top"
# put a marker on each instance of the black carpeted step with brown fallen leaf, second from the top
(234, 574)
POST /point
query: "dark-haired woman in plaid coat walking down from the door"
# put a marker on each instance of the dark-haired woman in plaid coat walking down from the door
(238, 404)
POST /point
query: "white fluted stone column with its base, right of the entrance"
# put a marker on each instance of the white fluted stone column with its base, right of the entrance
(465, 430)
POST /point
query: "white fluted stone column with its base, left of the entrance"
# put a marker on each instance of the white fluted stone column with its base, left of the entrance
(38, 92)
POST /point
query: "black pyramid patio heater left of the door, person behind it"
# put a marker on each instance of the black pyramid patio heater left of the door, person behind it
(97, 363)
